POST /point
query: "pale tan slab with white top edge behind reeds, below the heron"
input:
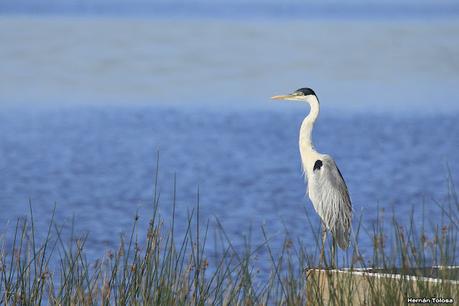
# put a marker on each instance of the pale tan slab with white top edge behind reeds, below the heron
(366, 287)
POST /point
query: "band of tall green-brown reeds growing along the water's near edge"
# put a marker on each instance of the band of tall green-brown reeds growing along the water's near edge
(160, 269)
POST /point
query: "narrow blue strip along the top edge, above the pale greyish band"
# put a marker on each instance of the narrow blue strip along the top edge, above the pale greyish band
(425, 9)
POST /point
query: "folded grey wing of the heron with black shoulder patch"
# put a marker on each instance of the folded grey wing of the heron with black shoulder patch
(330, 197)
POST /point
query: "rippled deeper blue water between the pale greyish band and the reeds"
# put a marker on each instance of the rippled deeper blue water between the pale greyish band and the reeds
(98, 164)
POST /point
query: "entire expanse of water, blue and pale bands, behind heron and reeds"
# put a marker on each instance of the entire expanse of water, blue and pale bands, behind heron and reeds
(87, 100)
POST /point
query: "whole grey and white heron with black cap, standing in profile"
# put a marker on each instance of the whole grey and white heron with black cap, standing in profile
(327, 189)
